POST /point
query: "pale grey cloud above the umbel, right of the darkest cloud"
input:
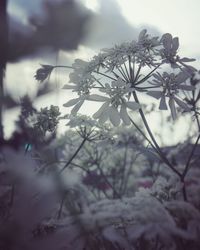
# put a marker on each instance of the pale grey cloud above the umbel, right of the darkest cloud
(109, 27)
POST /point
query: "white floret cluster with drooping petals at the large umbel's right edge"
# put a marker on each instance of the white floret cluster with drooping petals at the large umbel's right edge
(171, 85)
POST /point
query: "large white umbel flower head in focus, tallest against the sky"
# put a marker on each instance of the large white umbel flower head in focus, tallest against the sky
(117, 75)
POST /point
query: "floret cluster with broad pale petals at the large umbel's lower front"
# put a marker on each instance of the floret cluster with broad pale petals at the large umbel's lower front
(116, 98)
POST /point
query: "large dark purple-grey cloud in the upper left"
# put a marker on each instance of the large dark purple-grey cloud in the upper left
(60, 26)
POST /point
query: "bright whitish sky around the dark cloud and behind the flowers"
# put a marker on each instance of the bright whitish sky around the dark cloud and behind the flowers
(112, 22)
